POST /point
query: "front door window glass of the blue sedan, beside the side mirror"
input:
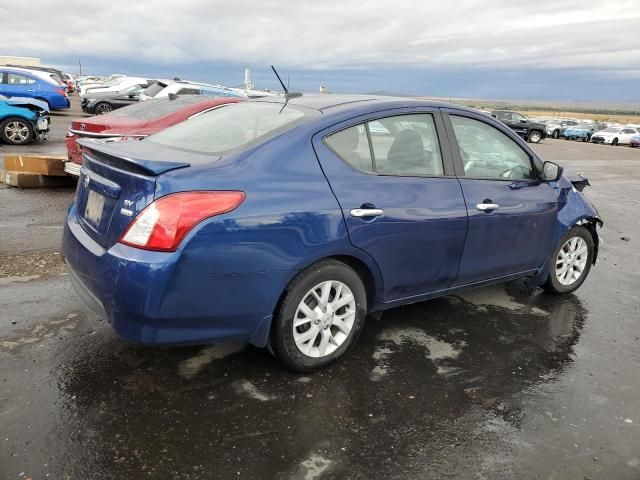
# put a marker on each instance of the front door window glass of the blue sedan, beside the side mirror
(488, 153)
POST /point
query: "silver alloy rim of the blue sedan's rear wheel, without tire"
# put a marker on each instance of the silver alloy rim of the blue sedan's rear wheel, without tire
(324, 318)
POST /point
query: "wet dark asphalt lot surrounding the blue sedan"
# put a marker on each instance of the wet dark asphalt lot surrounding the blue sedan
(500, 382)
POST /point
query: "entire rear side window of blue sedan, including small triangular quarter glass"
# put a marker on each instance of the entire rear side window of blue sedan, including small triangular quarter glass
(401, 145)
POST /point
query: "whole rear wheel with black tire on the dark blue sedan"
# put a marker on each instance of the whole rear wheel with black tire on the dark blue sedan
(320, 317)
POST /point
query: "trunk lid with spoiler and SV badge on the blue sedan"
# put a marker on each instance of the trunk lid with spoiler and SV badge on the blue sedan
(117, 181)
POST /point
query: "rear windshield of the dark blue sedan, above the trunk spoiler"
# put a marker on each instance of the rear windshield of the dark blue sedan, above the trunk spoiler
(232, 127)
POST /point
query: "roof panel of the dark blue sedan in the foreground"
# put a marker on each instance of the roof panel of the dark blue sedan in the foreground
(326, 101)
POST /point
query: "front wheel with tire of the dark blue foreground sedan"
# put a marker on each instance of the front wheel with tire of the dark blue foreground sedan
(571, 262)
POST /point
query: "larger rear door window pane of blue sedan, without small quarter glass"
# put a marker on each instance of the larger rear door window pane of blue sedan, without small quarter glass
(406, 145)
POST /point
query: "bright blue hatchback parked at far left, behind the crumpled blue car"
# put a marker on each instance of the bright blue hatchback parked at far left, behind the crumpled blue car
(33, 84)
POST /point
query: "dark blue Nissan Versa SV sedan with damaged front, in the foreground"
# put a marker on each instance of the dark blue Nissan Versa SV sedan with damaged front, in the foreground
(284, 224)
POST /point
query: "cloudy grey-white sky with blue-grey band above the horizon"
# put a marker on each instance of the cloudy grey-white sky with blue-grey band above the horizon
(551, 50)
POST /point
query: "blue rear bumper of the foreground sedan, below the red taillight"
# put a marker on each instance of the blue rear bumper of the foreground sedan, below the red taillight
(161, 298)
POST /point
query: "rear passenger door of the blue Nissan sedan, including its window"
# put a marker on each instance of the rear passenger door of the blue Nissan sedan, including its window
(401, 201)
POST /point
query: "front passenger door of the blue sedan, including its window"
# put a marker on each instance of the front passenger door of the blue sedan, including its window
(512, 215)
